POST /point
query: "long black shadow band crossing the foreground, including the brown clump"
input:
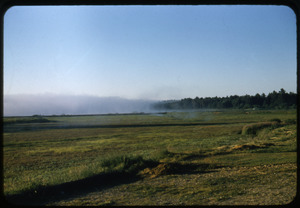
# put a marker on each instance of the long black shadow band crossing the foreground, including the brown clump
(50, 194)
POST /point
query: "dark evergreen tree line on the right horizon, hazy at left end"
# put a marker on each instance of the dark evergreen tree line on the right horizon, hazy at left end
(274, 100)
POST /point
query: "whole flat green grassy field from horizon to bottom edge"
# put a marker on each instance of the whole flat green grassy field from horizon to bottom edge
(175, 158)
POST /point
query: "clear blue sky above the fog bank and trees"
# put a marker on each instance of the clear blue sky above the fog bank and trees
(148, 52)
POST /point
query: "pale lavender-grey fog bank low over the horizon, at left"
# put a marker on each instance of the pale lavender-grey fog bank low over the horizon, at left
(51, 104)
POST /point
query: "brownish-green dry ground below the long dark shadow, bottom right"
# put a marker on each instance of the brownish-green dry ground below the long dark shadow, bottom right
(259, 185)
